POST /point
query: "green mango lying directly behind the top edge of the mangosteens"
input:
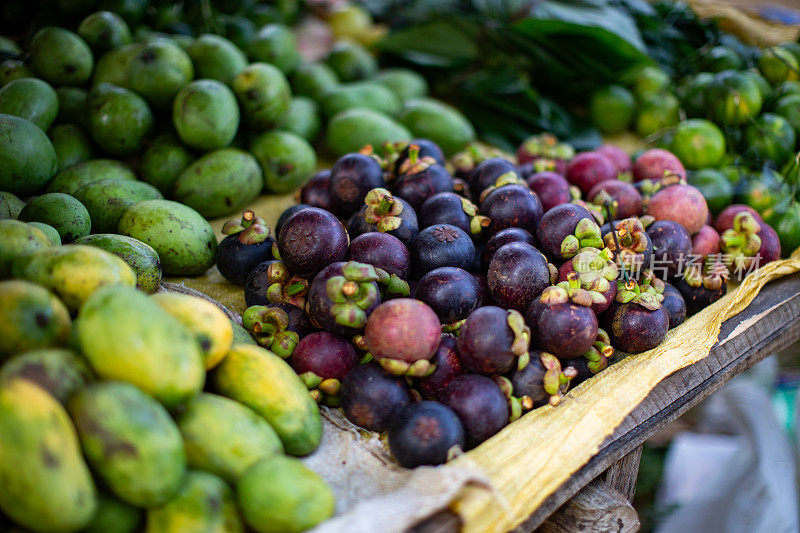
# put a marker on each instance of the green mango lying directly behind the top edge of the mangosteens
(351, 130)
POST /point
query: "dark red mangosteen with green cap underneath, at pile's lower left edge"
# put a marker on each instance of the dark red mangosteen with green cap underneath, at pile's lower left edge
(322, 361)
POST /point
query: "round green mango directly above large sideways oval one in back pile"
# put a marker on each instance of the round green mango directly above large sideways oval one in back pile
(205, 115)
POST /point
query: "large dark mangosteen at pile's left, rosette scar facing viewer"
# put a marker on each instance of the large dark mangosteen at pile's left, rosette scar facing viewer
(311, 239)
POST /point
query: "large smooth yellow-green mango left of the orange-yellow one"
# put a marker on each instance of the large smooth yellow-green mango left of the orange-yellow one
(127, 336)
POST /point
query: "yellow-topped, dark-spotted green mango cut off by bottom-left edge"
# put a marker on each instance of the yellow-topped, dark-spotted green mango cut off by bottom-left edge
(46, 486)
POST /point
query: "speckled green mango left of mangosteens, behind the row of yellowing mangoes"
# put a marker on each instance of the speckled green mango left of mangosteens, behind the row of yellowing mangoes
(184, 240)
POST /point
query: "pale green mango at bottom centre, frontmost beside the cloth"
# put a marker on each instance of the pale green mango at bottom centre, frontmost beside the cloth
(281, 495)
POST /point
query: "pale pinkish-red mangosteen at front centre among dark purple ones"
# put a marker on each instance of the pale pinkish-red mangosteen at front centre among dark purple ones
(402, 335)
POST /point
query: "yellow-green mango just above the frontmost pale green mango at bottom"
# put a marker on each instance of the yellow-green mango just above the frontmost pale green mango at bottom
(224, 437)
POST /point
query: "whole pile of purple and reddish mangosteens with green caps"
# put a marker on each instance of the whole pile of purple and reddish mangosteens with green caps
(440, 300)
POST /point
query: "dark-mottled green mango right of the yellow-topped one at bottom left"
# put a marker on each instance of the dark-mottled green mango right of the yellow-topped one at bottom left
(130, 441)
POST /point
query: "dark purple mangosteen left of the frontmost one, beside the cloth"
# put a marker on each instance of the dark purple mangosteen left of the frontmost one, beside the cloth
(371, 398)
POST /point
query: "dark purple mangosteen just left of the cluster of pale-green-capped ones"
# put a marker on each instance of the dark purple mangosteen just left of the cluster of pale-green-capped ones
(518, 273)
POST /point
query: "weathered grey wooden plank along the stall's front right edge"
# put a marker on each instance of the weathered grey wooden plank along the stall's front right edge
(770, 323)
